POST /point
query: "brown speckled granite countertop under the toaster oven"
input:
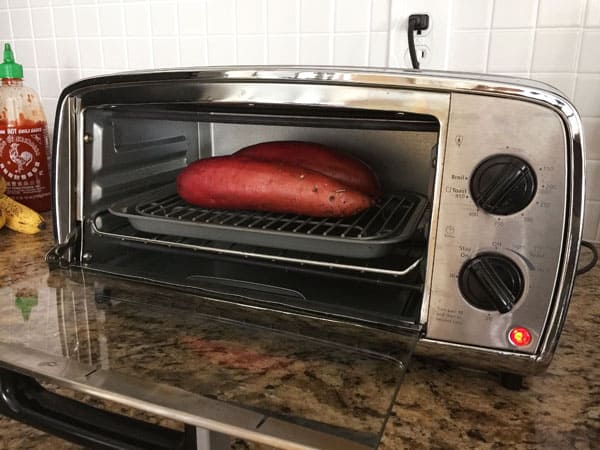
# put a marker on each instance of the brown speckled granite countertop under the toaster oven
(437, 406)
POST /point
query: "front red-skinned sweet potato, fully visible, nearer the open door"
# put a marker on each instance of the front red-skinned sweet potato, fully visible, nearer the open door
(229, 182)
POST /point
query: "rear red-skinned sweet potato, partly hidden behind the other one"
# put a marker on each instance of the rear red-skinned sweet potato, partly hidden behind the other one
(346, 169)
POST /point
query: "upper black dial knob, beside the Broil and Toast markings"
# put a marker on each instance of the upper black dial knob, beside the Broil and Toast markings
(503, 184)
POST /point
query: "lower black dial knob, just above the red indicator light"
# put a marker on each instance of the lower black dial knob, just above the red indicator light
(492, 282)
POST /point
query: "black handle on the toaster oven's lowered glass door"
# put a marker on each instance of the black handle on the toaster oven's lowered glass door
(22, 398)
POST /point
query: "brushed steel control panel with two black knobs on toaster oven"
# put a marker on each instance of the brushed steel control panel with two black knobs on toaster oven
(501, 222)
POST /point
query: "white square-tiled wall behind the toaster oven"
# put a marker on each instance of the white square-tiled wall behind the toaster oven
(555, 41)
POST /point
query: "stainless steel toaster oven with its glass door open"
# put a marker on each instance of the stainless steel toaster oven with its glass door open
(469, 255)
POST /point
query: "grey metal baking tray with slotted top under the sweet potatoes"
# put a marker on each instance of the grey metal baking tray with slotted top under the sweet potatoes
(370, 234)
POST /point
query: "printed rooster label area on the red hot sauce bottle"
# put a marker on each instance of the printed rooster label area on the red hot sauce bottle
(24, 166)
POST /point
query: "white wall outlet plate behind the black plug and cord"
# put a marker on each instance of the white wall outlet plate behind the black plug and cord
(430, 44)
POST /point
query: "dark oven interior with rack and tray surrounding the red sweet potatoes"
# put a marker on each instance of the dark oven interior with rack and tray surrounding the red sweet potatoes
(368, 269)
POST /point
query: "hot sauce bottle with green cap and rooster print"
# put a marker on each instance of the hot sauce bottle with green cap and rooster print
(23, 138)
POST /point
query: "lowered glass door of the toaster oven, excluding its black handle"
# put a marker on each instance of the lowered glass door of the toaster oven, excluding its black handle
(280, 378)
